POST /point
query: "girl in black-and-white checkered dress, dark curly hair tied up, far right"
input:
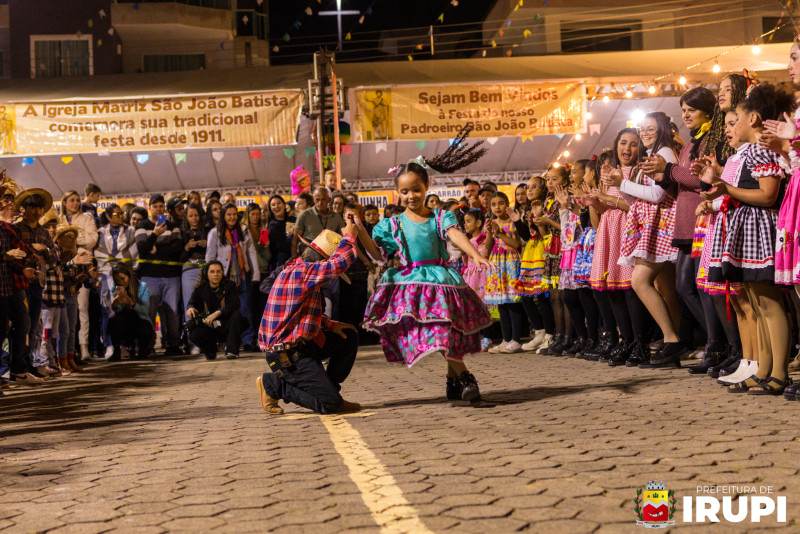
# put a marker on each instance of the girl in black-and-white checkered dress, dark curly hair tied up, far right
(744, 251)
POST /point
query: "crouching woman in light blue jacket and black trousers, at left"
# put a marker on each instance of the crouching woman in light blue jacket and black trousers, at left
(130, 325)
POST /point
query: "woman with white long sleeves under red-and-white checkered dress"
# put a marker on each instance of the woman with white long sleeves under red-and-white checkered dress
(647, 241)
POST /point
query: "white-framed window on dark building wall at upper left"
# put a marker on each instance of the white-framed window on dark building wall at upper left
(58, 56)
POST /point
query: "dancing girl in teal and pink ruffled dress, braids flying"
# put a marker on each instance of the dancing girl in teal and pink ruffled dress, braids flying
(423, 306)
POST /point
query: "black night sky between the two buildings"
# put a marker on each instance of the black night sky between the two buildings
(316, 31)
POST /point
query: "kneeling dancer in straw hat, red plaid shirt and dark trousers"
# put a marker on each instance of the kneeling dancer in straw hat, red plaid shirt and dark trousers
(298, 337)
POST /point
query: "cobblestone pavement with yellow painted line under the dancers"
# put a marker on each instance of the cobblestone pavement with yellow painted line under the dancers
(558, 445)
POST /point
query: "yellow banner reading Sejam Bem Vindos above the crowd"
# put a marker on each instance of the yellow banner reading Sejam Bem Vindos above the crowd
(440, 111)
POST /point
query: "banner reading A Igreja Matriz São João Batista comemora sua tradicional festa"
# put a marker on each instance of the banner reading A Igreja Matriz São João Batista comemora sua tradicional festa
(132, 124)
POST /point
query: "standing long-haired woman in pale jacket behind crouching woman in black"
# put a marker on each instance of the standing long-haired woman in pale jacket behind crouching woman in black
(230, 244)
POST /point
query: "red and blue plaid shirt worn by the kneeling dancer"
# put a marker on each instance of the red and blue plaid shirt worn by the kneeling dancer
(295, 304)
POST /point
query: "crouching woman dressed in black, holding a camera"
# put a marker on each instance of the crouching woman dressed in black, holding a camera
(214, 313)
